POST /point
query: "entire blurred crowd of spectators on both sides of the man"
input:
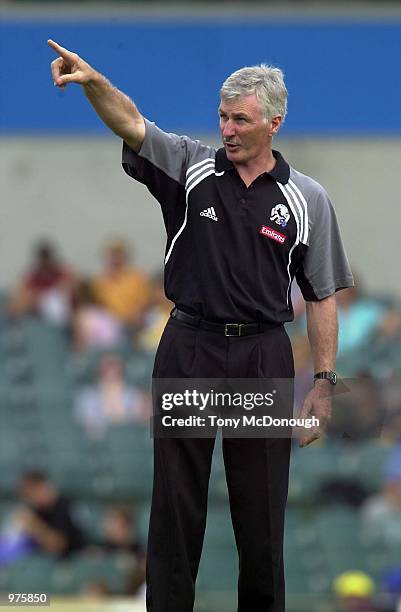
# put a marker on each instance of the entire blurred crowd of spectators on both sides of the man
(122, 305)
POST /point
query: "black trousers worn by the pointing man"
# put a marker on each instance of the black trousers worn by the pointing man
(256, 472)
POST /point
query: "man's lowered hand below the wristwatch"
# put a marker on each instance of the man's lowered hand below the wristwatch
(318, 404)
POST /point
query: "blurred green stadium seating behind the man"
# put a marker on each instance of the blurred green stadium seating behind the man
(38, 380)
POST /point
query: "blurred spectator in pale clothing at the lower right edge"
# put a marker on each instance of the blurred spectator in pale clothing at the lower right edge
(381, 513)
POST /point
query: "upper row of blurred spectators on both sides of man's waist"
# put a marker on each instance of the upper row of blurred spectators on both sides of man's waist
(122, 299)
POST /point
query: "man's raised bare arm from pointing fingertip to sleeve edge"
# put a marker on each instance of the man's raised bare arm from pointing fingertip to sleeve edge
(114, 108)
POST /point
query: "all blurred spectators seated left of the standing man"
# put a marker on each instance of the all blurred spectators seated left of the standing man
(120, 305)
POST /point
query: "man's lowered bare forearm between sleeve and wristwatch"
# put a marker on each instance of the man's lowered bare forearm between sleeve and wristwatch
(323, 332)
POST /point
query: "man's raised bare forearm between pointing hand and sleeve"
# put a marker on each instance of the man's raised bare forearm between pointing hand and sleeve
(116, 109)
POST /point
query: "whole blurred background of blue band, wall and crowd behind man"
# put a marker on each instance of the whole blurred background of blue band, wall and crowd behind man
(82, 306)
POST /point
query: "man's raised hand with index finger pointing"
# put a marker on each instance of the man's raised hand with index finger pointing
(69, 67)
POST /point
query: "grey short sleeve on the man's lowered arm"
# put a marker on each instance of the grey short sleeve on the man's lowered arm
(324, 268)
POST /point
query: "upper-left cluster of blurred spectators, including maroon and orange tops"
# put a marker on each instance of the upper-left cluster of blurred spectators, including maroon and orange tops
(121, 304)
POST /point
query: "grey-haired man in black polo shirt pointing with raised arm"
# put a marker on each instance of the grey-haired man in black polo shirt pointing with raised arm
(241, 223)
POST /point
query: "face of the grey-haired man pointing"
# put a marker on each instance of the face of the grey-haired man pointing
(246, 134)
